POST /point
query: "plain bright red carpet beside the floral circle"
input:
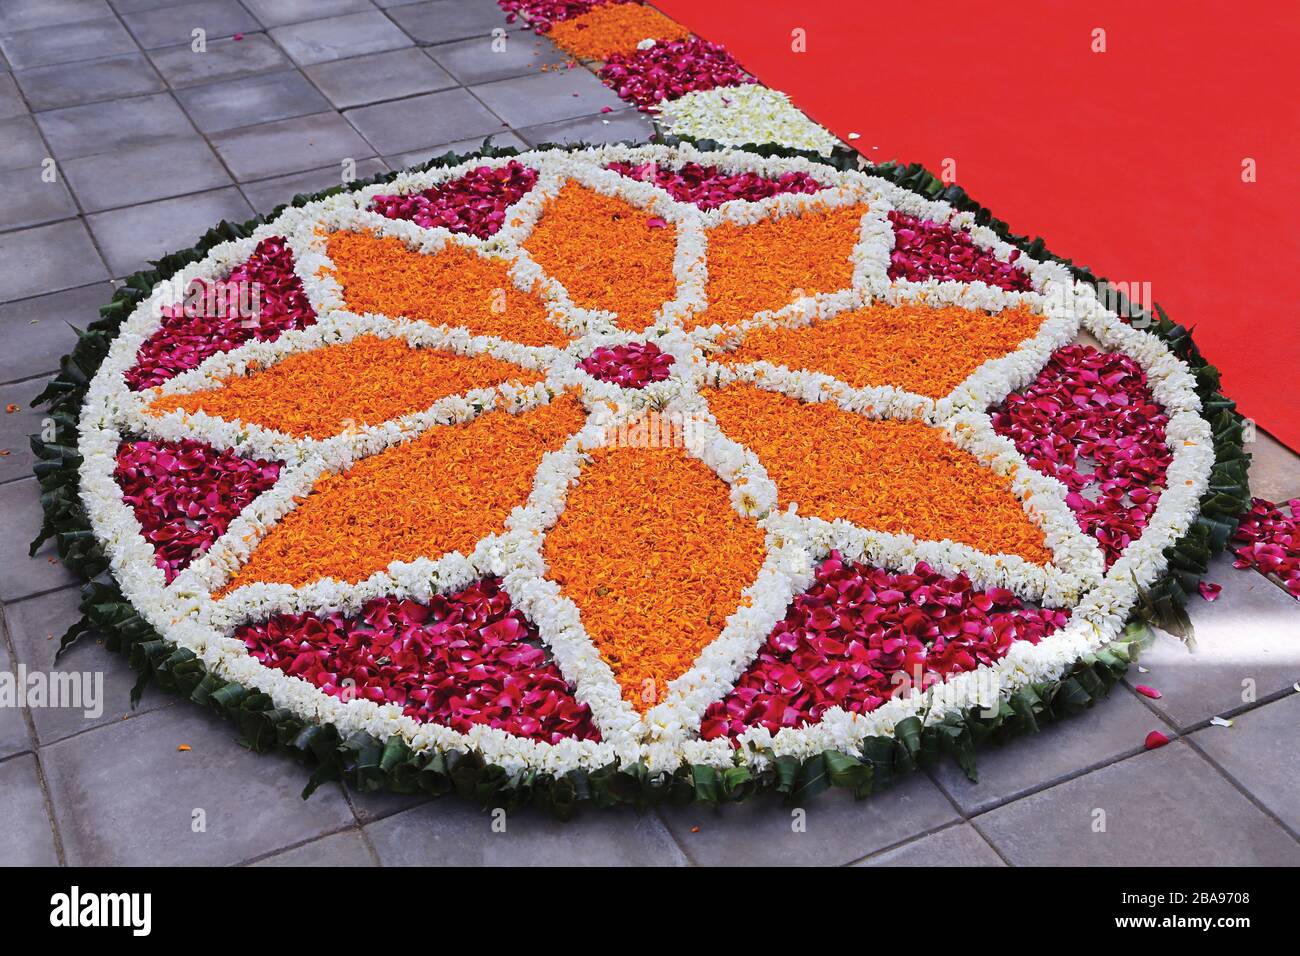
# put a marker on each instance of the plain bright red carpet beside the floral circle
(1143, 144)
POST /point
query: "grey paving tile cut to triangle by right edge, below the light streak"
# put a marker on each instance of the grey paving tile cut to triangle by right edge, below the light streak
(1262, 752)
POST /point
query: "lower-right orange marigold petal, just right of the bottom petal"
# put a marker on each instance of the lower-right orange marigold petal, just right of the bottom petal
(903, 478)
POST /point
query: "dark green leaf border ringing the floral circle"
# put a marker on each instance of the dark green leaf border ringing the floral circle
(370, 764)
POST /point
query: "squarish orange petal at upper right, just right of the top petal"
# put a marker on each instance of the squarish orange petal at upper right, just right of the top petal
(769, 265)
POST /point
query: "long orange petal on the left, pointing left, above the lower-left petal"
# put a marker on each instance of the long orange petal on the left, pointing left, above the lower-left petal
(361, 383)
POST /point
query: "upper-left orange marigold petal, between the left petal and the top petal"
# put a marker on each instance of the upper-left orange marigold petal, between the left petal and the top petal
(454, 287)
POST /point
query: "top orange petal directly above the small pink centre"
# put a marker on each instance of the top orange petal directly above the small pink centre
(606, 254)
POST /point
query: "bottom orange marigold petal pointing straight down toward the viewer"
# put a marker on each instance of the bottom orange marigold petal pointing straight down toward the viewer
(656, 559)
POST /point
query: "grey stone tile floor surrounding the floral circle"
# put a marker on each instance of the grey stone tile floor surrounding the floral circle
(154, 142)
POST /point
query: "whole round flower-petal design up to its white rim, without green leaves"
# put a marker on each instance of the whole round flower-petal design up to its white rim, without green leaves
(635, 457)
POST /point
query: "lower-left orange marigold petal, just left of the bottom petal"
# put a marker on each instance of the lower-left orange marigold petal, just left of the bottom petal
(439, 494)
